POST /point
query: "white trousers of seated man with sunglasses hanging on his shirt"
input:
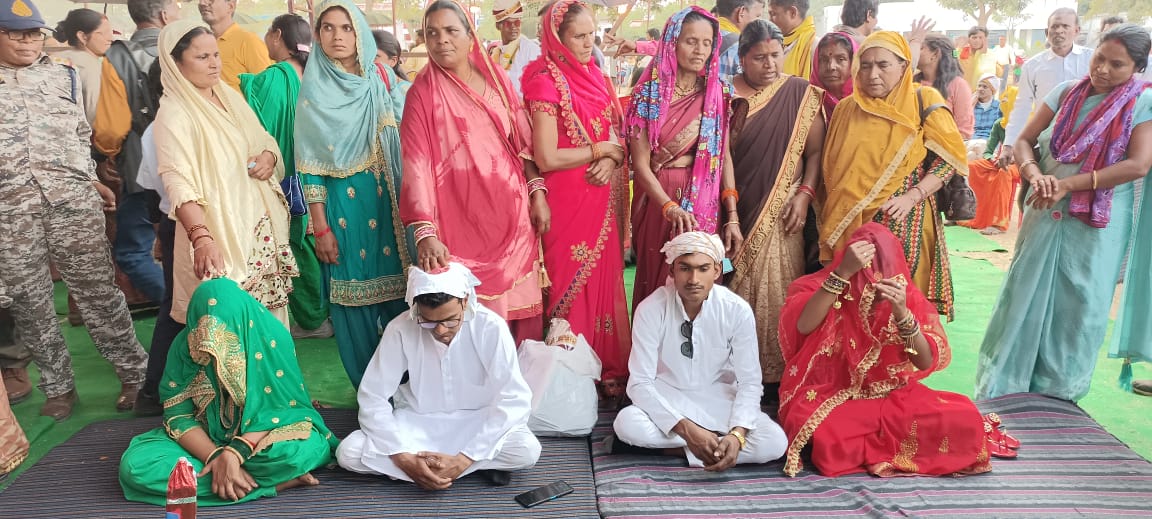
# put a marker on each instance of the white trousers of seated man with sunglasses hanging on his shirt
(767, 441)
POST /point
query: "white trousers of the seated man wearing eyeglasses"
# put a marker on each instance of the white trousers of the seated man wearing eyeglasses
(519, 451)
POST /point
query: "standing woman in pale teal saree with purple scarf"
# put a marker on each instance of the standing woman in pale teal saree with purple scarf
(1095, 139)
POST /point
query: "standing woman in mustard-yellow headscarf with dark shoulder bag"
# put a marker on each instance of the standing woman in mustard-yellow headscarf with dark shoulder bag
(883, 163)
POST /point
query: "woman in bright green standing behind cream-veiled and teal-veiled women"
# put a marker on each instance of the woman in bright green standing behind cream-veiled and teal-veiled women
(272, 95)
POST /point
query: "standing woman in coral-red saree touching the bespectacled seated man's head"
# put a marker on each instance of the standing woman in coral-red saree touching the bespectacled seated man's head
(465, 140)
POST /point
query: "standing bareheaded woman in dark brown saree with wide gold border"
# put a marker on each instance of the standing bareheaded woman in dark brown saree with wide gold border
(776, 151)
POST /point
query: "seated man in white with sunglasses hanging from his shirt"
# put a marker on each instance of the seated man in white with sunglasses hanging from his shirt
(695, 368)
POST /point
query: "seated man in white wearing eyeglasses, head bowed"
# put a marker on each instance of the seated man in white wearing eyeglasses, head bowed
(466, 406)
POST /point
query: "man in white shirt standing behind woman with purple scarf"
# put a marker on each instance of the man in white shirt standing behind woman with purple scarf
(1063, 62)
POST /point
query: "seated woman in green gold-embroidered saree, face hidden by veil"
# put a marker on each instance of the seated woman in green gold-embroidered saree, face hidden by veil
(232, 386)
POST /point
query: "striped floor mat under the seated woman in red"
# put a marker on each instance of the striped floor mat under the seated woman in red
(1068, 467)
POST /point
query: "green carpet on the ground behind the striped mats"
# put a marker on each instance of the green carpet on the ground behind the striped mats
(977, 285)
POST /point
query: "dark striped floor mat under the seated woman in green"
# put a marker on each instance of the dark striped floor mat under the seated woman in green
(79, 479)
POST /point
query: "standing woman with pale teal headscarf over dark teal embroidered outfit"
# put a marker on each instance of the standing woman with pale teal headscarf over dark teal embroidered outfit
(348, 155)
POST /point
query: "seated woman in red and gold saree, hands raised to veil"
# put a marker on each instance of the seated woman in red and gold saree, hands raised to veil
(858, 339)
